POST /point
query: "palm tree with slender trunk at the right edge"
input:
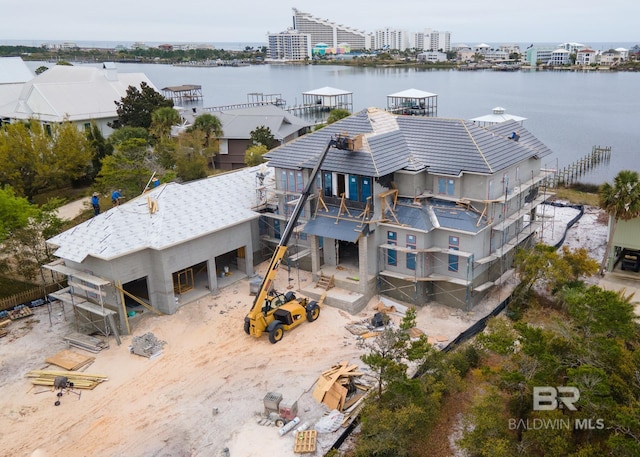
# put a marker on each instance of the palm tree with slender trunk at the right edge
(622, 202)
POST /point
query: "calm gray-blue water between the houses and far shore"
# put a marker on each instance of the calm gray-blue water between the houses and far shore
(569, 111)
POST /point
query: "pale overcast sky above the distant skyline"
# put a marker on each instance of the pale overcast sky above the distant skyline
(214, 21)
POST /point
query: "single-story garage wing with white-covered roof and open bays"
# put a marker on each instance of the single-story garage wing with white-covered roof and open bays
(166, 247)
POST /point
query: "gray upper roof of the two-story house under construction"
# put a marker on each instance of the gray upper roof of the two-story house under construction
(392, 143)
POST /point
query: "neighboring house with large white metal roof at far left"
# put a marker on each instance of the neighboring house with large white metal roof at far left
(80, 94)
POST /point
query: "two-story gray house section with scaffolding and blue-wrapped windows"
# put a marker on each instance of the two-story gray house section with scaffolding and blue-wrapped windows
(425, 209)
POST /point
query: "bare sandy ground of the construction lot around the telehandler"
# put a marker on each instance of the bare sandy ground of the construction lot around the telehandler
(205, 391)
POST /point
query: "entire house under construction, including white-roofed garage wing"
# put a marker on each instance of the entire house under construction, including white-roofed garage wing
(419, 208)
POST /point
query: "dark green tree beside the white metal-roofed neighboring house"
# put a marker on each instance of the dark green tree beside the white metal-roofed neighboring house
(135, 108)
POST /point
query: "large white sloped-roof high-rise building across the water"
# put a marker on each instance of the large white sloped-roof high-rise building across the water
(330, 33)
